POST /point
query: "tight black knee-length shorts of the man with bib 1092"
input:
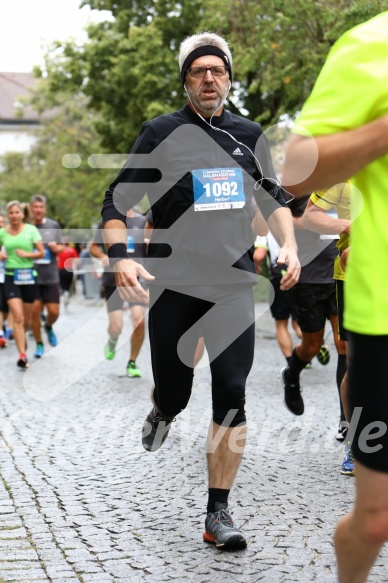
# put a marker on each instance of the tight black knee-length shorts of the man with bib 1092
(175, 326)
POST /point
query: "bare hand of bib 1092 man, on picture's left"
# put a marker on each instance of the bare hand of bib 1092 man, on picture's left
(126, 273)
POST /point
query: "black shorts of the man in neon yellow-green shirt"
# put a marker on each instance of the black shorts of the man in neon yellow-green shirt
(368, 391)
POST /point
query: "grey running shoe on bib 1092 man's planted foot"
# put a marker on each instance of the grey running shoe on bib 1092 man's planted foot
(221, 531)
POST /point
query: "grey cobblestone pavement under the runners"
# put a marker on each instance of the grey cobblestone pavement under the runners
(81, 501)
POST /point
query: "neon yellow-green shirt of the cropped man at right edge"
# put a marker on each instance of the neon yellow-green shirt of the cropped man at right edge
(350, 91)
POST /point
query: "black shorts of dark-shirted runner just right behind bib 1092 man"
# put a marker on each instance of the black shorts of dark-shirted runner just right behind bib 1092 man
(313, 303)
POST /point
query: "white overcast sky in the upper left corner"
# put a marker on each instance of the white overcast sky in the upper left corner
(27, 26)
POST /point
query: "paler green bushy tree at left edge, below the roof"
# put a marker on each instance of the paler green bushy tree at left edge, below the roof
(57, 165)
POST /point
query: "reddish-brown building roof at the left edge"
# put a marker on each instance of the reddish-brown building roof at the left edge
(14, 86)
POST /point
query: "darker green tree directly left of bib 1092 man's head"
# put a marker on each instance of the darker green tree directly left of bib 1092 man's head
(128, 68)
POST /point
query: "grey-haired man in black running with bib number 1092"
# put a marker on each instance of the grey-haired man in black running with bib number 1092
(200, 167)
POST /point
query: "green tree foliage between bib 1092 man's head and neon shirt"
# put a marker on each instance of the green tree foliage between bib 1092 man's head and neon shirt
(279, 47)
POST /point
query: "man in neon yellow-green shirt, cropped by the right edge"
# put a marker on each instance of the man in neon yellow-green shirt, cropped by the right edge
(347, 115)
